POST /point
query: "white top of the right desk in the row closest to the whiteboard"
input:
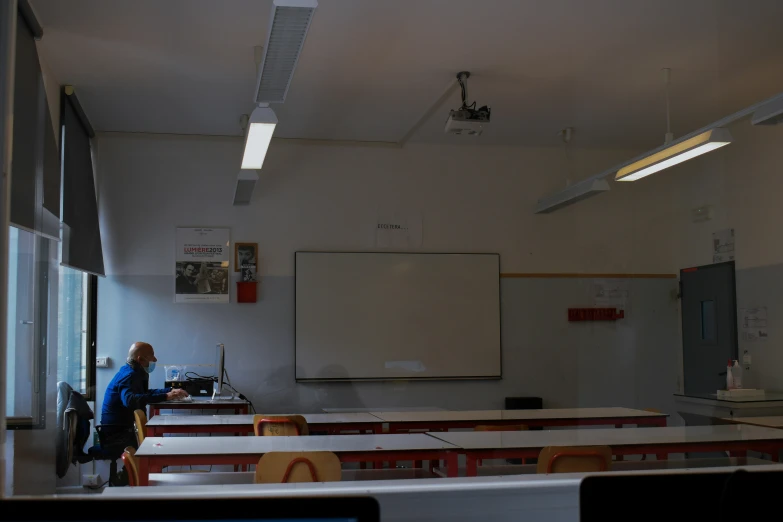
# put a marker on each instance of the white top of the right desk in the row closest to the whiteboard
(494, 415)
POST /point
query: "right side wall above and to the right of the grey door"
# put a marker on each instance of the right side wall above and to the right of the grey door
(743, 184)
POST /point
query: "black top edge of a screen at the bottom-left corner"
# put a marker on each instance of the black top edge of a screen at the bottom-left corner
(293, 509)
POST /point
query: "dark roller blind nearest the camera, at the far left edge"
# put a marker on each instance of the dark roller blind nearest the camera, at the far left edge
(35, 169)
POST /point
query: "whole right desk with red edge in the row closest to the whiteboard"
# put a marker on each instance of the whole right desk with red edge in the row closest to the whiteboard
(445, 420)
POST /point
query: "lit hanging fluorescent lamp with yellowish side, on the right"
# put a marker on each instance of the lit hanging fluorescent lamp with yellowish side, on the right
(674, 154)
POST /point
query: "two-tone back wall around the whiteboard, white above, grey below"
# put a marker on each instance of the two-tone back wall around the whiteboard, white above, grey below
(326, 197)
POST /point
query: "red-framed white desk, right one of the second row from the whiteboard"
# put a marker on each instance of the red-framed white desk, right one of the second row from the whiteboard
(660, 441)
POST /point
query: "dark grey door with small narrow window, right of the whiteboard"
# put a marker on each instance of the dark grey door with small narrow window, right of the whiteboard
(709, 325)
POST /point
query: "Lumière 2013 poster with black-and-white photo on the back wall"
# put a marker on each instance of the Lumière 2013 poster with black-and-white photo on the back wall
(201, 265)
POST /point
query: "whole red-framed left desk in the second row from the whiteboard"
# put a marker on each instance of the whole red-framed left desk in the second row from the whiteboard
(157, 452)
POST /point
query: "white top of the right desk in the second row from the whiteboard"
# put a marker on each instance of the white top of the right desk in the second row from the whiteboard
(610, 437)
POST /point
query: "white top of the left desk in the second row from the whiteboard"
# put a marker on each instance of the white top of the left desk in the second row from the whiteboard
(178, 446)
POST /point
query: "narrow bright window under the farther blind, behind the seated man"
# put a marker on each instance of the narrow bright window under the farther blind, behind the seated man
(75, 346)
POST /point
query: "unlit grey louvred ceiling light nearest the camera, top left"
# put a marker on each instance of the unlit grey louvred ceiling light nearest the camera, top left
(288, 26)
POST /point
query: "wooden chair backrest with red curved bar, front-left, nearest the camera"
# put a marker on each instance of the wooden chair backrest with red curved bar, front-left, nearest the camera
(298, 466)
